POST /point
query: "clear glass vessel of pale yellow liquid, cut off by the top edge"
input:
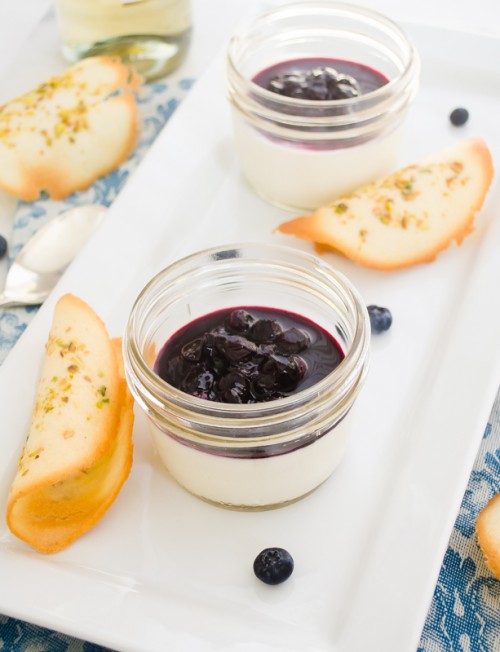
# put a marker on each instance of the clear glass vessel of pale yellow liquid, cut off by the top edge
(152, 36)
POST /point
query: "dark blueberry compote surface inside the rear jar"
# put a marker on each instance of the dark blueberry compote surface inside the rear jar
(320, 79)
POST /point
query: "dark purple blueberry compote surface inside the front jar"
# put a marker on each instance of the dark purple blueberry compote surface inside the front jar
(247, 355)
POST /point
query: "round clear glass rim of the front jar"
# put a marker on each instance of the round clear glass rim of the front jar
(158, 390)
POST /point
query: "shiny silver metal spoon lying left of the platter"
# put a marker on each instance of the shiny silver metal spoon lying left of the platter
(43, 259)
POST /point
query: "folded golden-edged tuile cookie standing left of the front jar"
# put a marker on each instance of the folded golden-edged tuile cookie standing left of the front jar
(78, 452)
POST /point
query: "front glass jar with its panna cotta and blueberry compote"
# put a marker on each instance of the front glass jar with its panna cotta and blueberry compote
(247, 361)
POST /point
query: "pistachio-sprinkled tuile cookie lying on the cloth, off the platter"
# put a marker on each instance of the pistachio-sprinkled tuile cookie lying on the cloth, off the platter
(69, 131)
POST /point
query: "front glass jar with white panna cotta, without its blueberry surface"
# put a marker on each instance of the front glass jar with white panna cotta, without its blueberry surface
(261, 455)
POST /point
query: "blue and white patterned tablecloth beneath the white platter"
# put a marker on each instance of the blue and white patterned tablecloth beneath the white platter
(465, 612)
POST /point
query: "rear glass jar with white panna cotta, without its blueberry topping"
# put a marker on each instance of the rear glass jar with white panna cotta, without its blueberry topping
(302, 153)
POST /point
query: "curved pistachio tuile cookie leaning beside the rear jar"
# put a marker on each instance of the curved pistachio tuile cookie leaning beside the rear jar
(408, 217)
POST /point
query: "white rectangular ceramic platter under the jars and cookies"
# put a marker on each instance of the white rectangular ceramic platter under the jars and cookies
(165, 571)
